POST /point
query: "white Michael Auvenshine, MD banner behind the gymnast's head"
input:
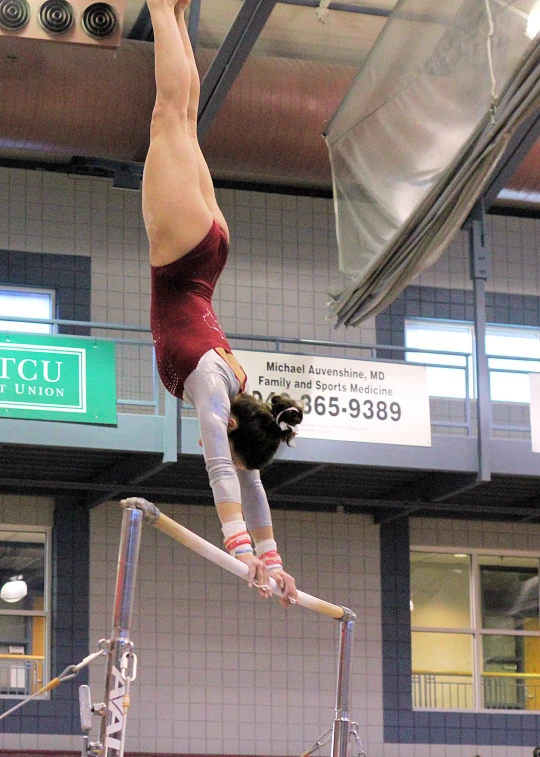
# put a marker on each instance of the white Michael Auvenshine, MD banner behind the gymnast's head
(347, 400)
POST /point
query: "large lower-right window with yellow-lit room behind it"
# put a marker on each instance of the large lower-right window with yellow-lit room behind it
(475, 631)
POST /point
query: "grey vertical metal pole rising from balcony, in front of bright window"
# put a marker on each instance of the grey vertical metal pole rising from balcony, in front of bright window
(479, 259)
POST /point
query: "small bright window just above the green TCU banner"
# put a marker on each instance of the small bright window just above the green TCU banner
(26, 303)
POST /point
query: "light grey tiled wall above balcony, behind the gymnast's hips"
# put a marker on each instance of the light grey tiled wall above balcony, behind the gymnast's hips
(283, 258)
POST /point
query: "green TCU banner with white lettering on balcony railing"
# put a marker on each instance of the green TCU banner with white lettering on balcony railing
(57, 378)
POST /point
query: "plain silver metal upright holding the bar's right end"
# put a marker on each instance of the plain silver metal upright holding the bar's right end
(342, 725)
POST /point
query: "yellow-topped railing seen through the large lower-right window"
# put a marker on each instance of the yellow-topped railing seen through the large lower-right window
(454, 691)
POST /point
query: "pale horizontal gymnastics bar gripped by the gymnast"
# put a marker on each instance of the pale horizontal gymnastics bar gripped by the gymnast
(186, 537)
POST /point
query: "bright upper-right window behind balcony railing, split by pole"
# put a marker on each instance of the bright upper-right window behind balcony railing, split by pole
(509, 380)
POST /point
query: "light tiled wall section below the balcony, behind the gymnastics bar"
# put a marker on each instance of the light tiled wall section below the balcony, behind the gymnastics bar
(222, 672)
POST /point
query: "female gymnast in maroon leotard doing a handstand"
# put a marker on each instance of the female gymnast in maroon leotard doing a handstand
(188, 239)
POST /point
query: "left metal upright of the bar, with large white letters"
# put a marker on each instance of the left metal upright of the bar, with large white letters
(121, 665)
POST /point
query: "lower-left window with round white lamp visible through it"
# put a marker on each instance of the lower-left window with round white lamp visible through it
(24, 611)
